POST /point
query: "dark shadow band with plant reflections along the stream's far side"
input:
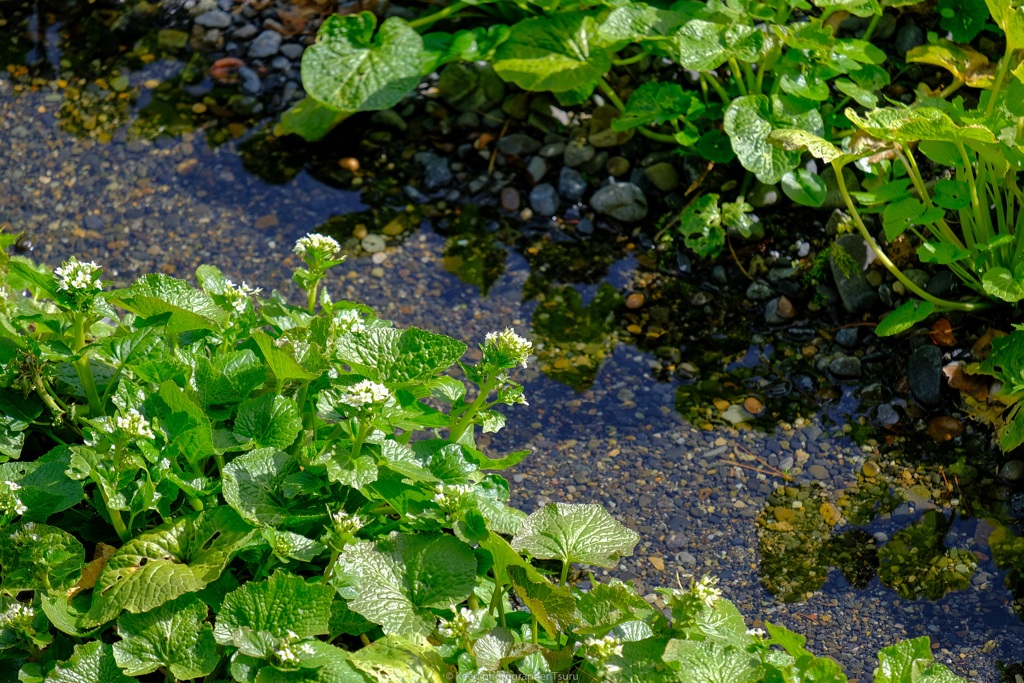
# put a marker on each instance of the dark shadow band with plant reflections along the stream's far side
(925, 522)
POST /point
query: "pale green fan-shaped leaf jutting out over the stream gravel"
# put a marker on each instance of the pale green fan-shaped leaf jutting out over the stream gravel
(575, 533)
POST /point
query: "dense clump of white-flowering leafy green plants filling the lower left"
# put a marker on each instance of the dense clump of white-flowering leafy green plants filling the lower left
(202, 484)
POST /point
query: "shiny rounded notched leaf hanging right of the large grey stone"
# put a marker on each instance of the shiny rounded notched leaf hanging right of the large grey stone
(750, 120)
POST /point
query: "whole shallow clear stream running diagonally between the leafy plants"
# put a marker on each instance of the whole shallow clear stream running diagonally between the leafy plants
(602, 425)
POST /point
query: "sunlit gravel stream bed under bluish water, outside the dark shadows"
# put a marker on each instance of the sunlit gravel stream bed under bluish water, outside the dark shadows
(170, 205)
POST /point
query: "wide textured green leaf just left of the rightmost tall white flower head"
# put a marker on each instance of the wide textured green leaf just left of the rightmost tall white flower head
(395, 357)
